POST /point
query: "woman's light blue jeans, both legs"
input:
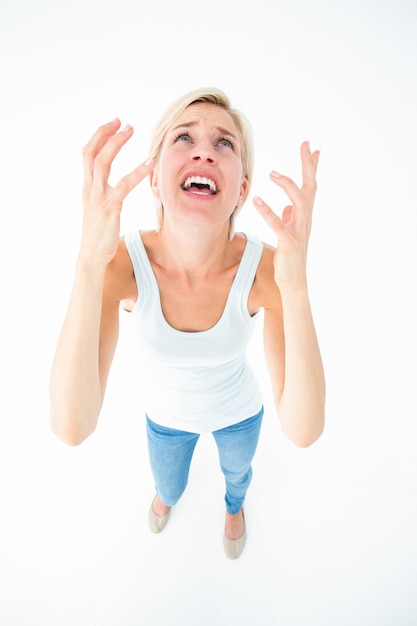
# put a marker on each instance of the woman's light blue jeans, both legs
(171, 451)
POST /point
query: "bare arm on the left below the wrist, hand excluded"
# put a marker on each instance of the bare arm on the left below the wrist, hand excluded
(83, 356)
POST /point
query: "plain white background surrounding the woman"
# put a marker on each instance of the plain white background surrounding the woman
(331, 529)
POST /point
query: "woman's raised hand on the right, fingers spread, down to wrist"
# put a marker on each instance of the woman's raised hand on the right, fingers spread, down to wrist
(293, 228)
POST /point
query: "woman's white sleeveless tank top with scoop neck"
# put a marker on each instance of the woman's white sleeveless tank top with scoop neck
(196, 381)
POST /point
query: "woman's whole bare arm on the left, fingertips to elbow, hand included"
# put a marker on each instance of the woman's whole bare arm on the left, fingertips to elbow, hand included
(90, 330)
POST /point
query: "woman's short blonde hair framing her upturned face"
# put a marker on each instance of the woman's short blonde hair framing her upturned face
(210, 96)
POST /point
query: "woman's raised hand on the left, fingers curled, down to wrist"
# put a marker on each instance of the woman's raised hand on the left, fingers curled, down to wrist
(103, 203)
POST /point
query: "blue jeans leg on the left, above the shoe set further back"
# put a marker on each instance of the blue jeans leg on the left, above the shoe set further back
(170, 454)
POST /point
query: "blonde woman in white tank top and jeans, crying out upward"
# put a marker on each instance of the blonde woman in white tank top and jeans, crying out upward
(194, 288)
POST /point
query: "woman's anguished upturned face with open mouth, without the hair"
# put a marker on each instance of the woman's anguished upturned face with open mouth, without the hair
(199, 175)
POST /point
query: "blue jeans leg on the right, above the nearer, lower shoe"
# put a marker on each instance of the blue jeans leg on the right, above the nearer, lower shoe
(237, 445)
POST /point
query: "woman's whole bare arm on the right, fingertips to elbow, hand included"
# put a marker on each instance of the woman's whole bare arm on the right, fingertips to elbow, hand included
(291, 346)
